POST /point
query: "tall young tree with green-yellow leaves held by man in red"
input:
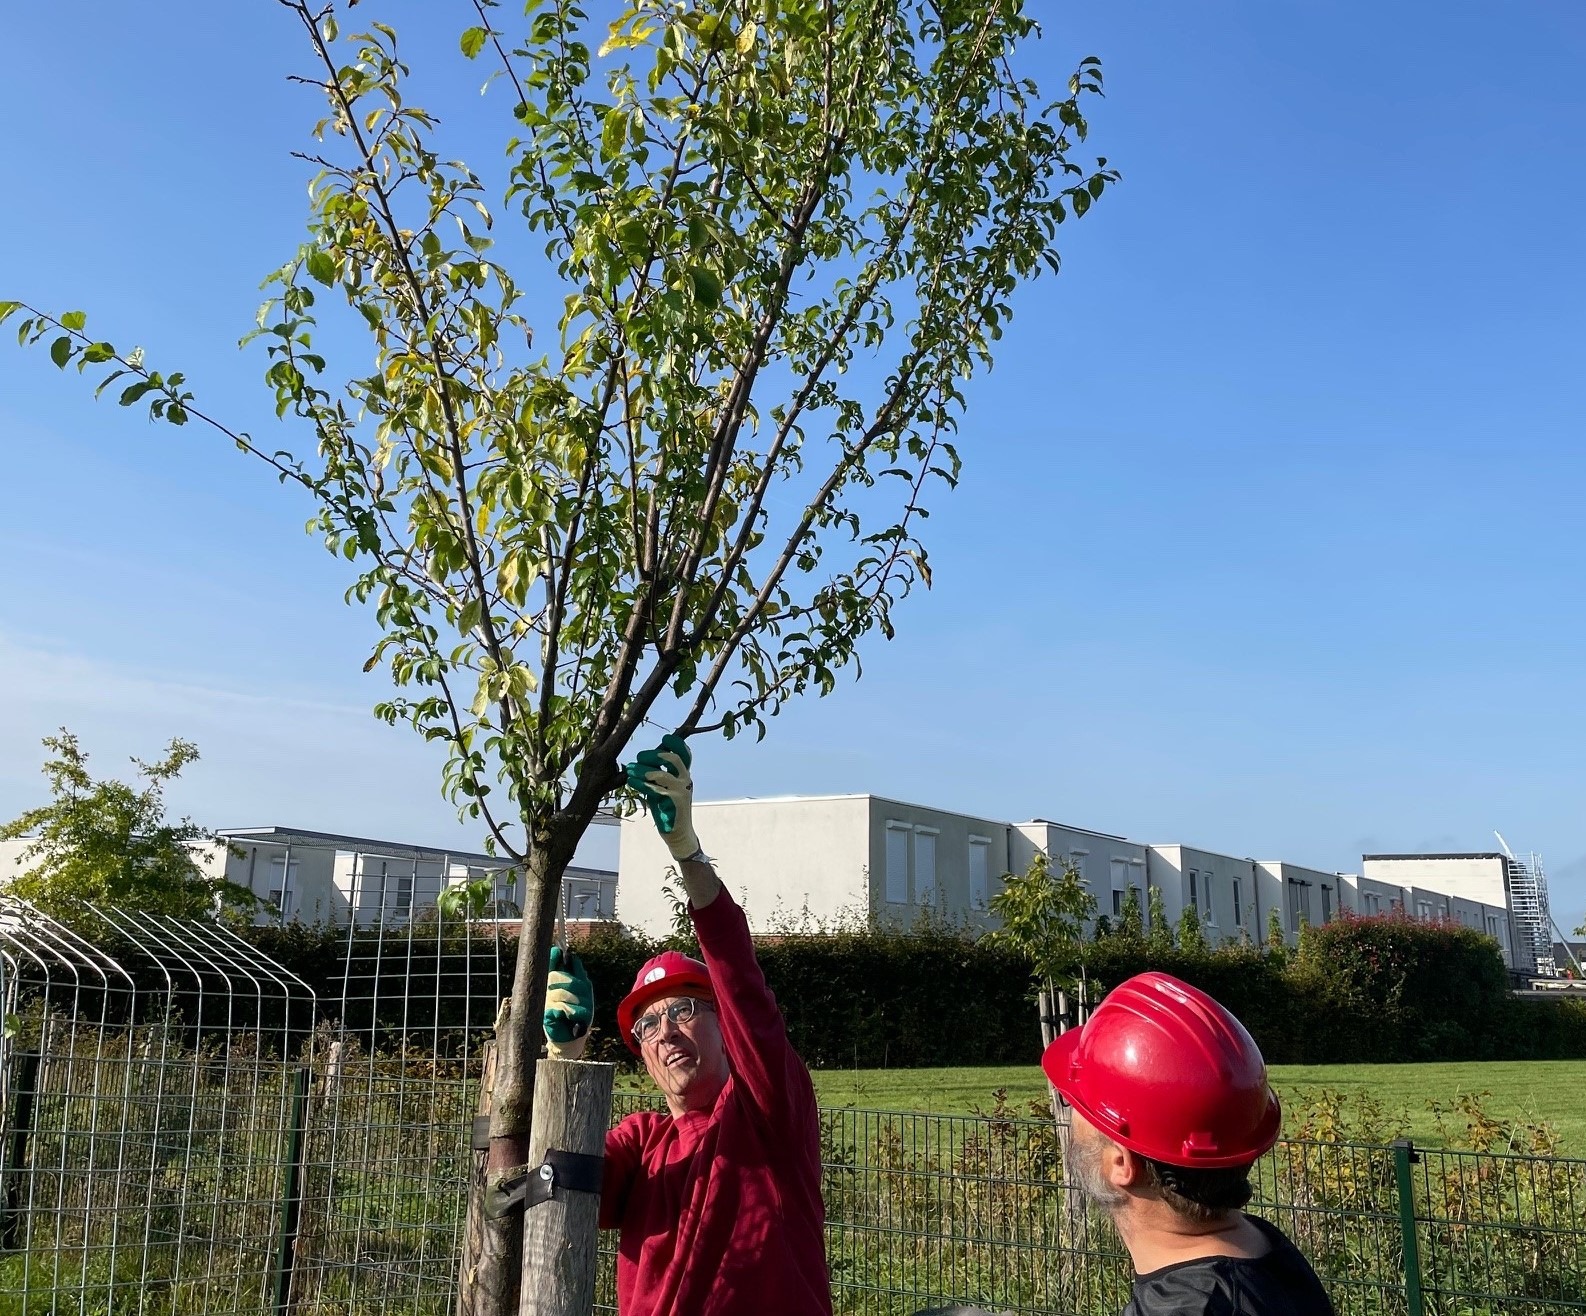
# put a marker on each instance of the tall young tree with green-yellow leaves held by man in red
(780, 239)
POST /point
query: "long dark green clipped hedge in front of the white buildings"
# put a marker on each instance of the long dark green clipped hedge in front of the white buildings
(1384, 989)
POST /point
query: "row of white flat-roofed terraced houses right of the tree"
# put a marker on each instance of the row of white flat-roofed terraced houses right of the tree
(868, 860)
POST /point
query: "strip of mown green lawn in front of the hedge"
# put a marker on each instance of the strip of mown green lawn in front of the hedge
(1520, 1090)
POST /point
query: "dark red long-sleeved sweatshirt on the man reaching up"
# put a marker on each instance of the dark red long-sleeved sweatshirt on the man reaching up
(721, 1211)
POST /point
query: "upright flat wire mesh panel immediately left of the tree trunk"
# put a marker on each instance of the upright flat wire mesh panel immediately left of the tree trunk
(388, 1152)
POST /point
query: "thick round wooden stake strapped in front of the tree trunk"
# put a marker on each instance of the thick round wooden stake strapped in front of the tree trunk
(572, 1114)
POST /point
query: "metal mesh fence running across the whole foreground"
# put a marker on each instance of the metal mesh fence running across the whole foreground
(191, 1130)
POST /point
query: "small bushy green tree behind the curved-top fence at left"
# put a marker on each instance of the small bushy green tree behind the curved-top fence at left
(110, 843)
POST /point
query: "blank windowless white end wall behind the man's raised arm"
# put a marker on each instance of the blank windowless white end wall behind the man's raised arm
(778, 857)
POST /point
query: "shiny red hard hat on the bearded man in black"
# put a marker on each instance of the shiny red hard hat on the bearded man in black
(1165, 1071)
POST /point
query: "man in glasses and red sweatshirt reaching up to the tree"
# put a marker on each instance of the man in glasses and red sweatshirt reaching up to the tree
(718, 1201)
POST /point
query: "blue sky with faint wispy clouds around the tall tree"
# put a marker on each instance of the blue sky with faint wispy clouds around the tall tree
(1270, 538)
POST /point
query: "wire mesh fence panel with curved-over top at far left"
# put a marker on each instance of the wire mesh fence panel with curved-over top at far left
(148, 1093)
